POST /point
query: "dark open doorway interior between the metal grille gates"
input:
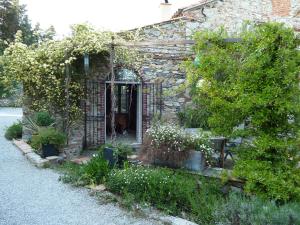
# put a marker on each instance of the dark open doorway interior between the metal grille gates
(126, 112)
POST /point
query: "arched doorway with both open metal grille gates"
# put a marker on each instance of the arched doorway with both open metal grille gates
(137, 103)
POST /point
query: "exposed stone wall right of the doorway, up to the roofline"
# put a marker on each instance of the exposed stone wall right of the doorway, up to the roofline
(164, 64)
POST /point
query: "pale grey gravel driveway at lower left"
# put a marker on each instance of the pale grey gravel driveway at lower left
(31, 196)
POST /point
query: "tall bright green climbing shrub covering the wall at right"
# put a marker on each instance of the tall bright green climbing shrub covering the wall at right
(255, 80)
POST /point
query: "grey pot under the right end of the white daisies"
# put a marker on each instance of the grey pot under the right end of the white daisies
(195, 162)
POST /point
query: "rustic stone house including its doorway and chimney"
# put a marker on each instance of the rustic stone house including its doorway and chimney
(143, 94)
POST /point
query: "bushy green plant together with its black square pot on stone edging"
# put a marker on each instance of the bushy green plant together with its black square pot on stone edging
(48, 142)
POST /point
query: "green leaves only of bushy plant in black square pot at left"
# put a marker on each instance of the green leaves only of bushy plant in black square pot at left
(48, 136)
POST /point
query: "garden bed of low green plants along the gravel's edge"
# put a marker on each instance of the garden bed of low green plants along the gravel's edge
(180, 193)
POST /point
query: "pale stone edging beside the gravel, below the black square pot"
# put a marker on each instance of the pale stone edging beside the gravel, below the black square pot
(33, 157)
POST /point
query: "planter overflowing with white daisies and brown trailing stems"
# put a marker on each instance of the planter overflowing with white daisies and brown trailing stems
(170, 145)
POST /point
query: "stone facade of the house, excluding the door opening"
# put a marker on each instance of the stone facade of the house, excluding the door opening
(163, 63)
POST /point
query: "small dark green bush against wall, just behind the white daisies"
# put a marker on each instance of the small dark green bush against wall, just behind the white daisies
(194, 117)
